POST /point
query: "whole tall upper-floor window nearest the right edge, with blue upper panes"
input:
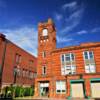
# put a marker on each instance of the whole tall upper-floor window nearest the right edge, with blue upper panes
(89, 61)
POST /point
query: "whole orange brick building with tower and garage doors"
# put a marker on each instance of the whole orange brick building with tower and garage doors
(66, 72)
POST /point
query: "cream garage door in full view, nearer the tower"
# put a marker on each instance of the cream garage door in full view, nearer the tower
(77, 90)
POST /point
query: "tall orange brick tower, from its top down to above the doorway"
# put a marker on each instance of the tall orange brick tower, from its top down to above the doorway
(46, 44)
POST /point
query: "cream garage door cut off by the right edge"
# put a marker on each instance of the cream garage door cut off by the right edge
(95, 89)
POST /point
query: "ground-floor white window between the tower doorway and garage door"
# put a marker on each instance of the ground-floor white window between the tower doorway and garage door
(60, 87)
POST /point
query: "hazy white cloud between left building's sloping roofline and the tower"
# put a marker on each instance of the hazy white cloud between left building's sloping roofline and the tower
(25, 37)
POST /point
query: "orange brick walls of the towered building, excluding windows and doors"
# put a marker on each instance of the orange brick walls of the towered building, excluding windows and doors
(53, 62)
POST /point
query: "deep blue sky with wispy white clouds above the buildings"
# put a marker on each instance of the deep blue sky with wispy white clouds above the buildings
(76, 21)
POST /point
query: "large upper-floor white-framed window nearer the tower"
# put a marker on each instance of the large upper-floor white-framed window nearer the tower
(68, 64)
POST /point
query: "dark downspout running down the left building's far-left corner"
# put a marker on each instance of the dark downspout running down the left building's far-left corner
(3, 60)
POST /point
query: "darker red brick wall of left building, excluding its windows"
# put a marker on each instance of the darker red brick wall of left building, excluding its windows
(9, 64)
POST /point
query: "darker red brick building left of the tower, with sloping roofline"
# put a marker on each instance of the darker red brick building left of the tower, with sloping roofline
(16, 65)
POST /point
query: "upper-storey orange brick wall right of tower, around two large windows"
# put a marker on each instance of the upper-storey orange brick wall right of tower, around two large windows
(79, 60)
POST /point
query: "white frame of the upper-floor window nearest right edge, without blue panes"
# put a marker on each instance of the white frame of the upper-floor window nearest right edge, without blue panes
(88, 68)
